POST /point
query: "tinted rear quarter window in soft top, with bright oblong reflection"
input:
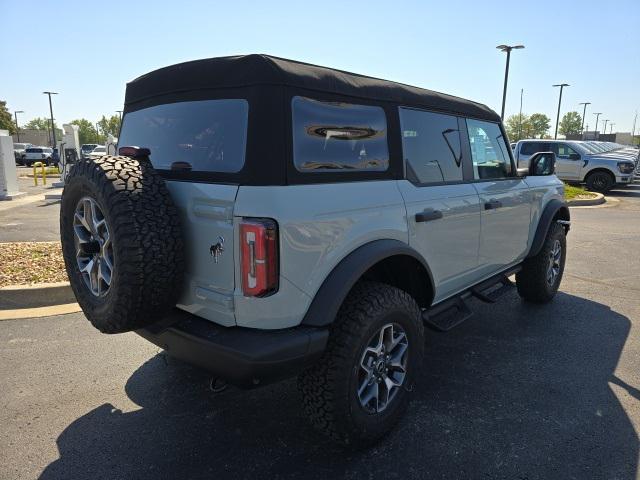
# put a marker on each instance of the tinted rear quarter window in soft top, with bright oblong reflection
(331, 136)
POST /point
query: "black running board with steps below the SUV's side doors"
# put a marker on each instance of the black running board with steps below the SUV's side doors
(452, 312)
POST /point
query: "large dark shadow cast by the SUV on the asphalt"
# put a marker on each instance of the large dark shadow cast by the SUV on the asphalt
(517, 392)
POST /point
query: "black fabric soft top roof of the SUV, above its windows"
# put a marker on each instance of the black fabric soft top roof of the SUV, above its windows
(256, 70)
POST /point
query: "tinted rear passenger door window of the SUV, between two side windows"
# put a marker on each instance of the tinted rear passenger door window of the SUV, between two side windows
(430, 146)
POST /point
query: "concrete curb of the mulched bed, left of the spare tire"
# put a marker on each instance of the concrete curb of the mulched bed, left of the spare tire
(36, 296)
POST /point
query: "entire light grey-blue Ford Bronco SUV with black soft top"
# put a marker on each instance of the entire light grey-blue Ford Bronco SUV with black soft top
(267, 219)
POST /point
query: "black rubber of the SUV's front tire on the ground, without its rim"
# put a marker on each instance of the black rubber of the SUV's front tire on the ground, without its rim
(532, 279)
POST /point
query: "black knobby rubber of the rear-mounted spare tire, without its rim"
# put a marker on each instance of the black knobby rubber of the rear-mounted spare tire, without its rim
(146, 240)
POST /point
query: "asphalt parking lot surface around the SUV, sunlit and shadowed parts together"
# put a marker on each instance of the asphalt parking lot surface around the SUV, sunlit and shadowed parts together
(518, 391)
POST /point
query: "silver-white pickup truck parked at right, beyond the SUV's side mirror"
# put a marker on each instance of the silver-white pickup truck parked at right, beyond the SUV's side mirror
(582, 162)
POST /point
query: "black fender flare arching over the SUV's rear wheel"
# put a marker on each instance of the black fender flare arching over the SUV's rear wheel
(335, 288)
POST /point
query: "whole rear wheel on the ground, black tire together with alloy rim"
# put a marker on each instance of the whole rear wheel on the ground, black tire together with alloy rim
(361, 386)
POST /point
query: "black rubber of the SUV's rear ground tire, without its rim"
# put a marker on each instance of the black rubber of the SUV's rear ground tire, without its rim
(328, 387)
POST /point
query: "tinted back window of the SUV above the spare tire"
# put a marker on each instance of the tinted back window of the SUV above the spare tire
(208, 135)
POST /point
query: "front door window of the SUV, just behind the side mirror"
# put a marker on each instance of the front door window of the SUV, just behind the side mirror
(488, 150)
